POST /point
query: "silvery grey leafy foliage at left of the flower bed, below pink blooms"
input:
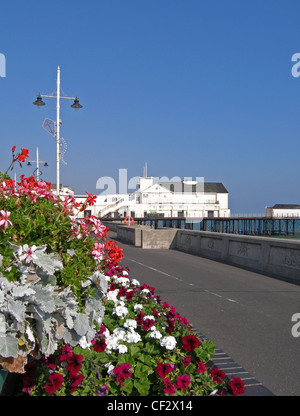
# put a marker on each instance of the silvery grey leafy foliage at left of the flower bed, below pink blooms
(34, 312)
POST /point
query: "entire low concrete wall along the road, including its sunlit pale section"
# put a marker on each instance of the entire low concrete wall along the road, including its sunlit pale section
(274, 256)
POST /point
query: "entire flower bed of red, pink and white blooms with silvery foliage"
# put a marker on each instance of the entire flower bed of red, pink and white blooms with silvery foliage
(73, 322)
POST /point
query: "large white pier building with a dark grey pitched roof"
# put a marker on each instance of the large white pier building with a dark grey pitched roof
(189, 199)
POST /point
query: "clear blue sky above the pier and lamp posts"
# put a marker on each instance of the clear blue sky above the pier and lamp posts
(194, 88)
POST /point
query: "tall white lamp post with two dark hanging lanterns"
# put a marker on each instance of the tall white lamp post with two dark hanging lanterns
(76, 106)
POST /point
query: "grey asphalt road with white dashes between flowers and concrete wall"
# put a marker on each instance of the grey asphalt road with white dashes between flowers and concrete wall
(246, 314)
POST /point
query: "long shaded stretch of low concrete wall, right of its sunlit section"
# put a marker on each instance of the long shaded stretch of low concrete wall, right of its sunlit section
(269, 255)
